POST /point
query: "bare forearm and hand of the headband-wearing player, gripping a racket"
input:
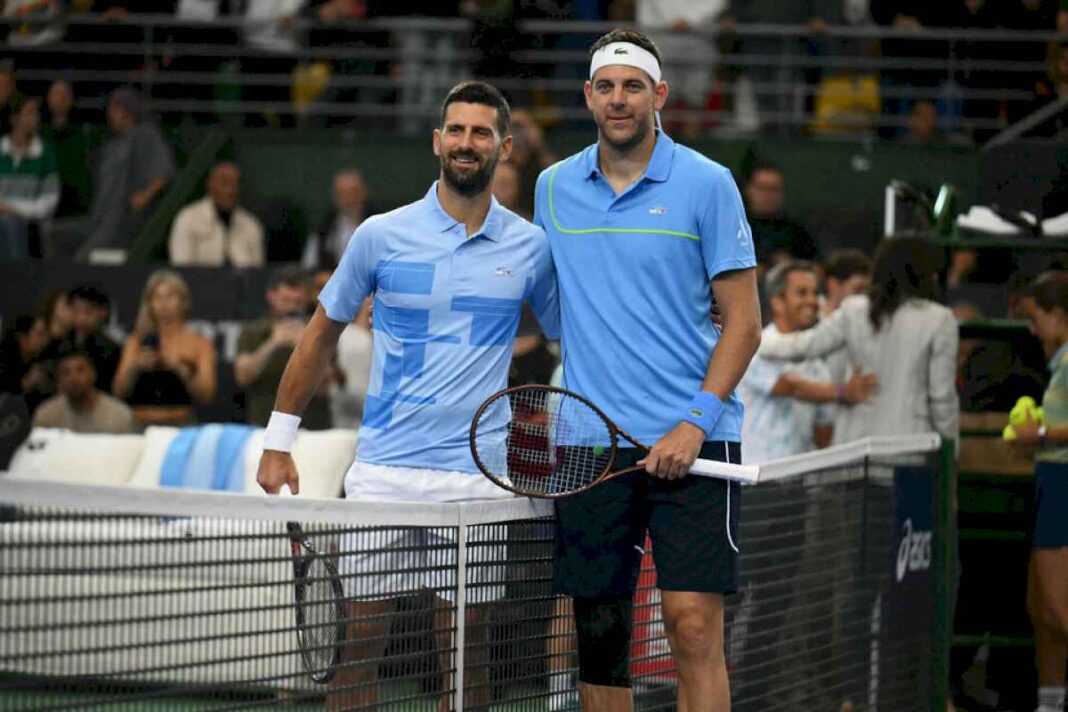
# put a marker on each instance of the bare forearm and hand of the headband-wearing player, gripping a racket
(672, 456)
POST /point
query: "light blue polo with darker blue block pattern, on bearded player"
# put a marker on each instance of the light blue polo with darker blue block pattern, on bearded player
(447, 308)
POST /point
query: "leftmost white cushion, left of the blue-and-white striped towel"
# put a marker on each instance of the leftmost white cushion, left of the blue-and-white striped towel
(83, 458)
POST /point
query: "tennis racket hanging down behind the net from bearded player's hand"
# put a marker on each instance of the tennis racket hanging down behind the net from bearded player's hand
(320, 607)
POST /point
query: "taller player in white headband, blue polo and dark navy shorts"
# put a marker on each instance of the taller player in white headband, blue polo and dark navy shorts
(643, 233)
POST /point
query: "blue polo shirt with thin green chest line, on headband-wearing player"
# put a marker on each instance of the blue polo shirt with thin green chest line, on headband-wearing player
(635, 273)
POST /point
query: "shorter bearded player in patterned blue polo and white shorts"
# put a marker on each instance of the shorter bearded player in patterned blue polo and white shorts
(449, 276)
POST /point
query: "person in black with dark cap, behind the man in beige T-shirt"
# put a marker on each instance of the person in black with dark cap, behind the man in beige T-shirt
(90, 310)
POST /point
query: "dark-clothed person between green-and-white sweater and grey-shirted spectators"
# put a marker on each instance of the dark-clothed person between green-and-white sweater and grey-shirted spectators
(66, 130)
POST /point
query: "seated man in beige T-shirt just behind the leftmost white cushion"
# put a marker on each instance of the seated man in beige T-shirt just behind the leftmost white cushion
(82, 406)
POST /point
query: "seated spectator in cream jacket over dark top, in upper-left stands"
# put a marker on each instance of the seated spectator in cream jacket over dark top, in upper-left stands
(216, 231)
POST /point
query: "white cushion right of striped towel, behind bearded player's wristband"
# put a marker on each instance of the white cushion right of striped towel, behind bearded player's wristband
(323, 458)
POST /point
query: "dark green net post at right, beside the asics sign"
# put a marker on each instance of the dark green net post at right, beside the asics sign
(945, 556)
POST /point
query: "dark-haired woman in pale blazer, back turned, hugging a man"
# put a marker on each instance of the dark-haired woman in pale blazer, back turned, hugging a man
(900, 334)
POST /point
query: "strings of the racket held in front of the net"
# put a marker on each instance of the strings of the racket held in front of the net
(544, 442)
